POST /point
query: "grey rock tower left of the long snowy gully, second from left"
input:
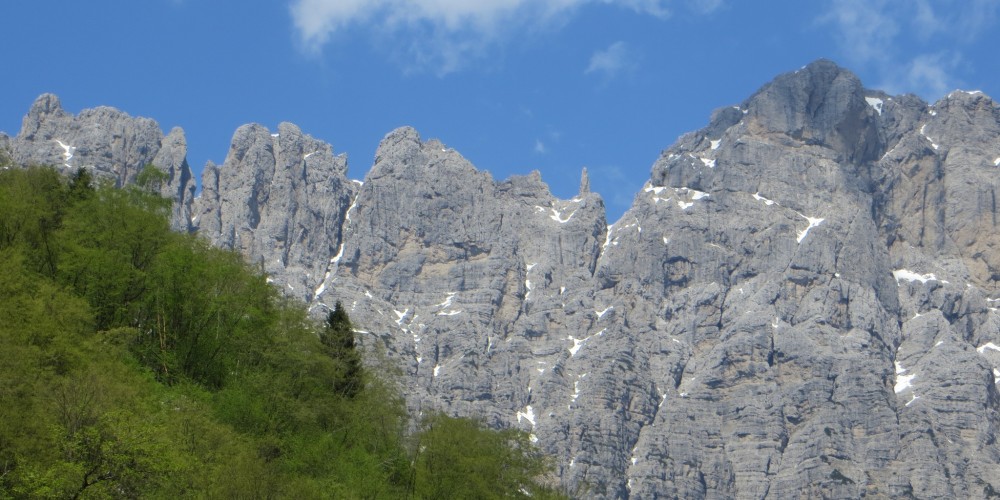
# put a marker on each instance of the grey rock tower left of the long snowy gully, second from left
(280, 199)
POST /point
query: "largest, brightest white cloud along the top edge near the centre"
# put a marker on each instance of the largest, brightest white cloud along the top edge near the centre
(444, 34)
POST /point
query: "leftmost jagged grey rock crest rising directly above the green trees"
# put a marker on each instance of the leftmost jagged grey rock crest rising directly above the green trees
(111, 144)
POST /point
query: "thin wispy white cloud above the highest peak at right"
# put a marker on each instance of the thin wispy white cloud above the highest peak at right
(911, 46)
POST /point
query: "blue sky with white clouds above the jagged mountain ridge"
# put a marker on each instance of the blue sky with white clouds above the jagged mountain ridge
(513, 85)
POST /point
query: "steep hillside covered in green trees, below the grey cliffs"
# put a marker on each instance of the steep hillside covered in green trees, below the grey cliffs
(140, 362)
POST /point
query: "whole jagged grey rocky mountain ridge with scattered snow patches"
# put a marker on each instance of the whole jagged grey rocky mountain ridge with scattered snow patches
(800, 301)
